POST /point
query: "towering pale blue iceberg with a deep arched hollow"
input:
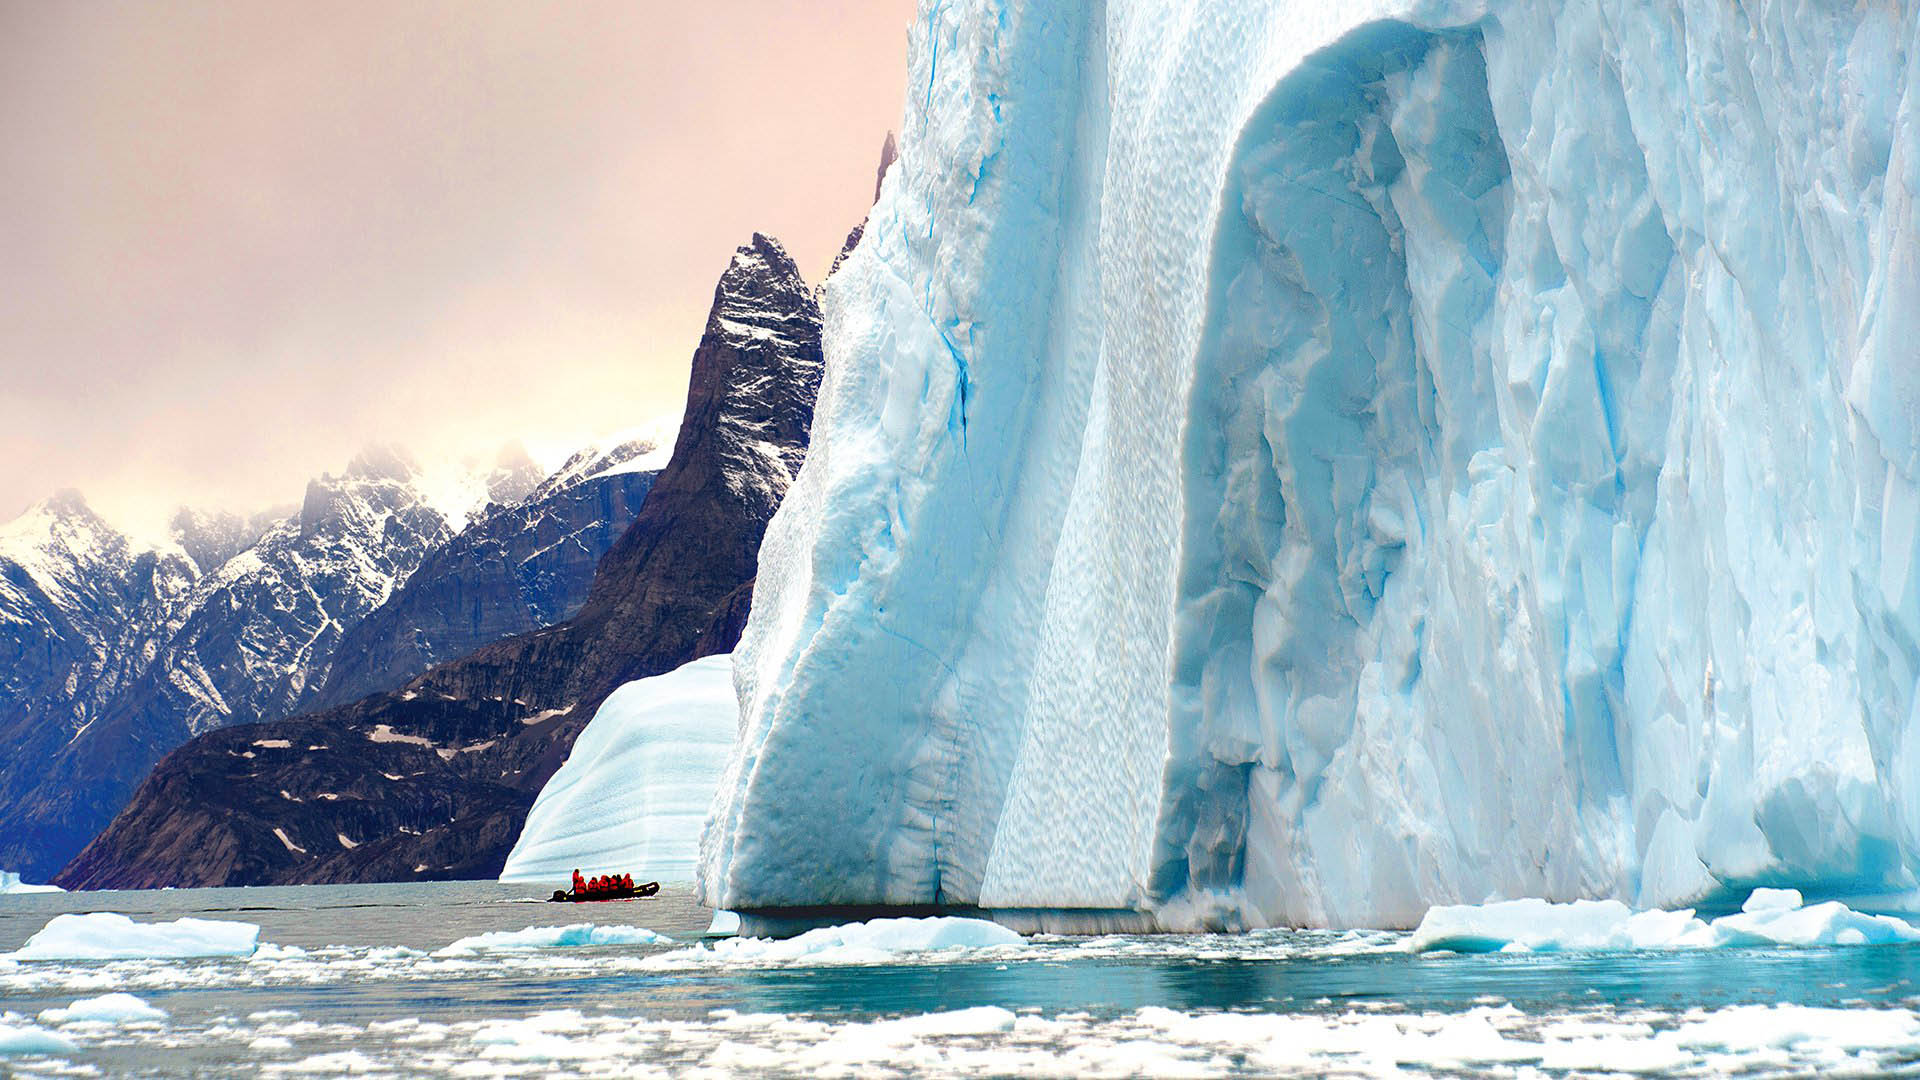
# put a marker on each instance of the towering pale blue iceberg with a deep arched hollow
(1312, 462)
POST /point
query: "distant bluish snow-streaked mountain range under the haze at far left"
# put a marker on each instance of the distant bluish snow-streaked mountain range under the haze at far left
(122, 652)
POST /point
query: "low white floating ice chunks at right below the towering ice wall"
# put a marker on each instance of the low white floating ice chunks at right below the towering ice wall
(1771, 918)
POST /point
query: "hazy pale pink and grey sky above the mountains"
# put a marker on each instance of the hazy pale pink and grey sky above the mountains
(243, 239)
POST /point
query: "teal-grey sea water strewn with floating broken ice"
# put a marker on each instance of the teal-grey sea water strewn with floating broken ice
(362, 981)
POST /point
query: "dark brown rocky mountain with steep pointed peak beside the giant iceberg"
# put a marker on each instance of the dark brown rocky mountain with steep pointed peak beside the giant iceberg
(435, 781)
